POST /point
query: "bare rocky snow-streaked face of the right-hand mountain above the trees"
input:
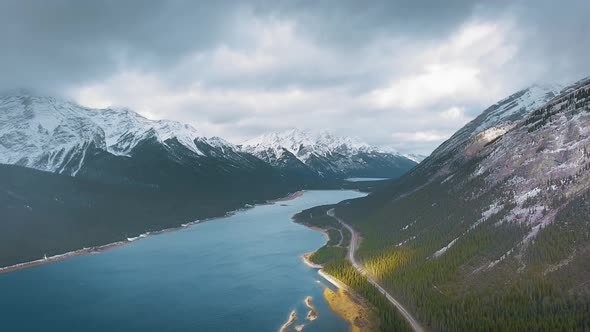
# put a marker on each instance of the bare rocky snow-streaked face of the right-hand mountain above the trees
(534, 165)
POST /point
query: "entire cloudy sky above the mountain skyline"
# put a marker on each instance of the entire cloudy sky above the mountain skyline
(400, 74)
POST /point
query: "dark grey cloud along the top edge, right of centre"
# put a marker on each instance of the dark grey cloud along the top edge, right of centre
(350, 23)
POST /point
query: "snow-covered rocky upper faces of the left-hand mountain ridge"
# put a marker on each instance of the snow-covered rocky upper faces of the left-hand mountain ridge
(54, 135)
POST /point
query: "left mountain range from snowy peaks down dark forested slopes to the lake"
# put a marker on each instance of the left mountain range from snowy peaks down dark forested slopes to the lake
(75, 177)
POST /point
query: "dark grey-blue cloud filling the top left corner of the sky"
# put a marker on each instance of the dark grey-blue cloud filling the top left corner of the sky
(55, 43)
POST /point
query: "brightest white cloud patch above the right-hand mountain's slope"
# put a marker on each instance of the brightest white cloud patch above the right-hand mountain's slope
(456, 69)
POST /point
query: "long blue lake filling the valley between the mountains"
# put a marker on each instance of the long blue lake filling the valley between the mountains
(240, 273)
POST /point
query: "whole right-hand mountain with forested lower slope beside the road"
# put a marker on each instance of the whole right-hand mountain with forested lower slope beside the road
(494, 224)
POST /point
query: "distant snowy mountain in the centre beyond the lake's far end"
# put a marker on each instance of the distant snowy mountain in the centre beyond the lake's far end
(327, 155)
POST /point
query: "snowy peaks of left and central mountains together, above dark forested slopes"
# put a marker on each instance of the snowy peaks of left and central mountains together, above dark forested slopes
(58, 136)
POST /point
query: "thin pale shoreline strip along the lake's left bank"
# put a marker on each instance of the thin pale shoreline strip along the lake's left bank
(101, 248)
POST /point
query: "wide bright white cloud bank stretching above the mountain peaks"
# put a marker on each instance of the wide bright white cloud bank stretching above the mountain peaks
(271, 78)
